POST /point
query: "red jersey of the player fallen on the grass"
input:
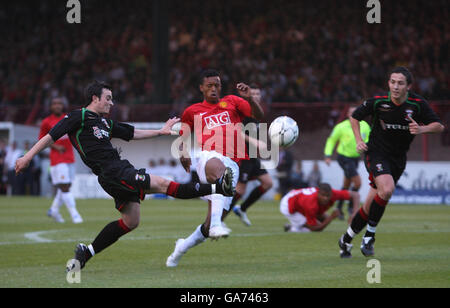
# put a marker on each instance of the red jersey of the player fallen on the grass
(304, 201)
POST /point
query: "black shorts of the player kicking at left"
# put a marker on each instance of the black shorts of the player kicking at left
(125, 184)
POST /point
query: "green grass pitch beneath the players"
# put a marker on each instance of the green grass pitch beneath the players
(413, 248)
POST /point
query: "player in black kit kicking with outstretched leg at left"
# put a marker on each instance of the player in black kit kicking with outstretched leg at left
(90, 133)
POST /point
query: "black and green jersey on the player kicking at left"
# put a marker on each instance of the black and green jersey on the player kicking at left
(91, 135)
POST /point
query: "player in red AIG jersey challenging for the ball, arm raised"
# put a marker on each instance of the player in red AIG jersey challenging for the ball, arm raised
(215, 123)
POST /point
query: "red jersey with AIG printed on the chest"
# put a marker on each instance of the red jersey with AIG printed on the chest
(216, 125)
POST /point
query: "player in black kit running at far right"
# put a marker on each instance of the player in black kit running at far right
(395, 119)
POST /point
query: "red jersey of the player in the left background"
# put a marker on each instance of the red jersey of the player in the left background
(55, 156)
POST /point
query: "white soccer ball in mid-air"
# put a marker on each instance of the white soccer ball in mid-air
(283, 131)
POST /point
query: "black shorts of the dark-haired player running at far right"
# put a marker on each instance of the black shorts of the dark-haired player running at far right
(379, 163)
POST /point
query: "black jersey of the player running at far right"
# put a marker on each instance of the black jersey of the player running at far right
(390, 124)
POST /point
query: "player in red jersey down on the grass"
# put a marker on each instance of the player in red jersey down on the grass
(305, 208)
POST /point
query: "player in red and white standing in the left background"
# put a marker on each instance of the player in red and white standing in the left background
(61, 165)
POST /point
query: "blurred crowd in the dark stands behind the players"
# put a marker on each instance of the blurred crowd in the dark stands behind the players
(296, 51)
